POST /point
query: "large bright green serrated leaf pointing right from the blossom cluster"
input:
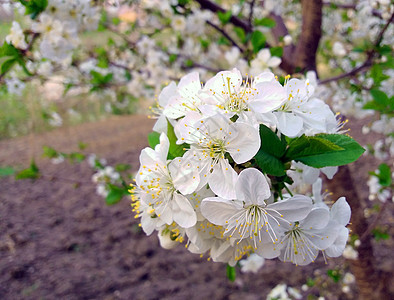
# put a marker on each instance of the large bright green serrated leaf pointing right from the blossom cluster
(324, 150)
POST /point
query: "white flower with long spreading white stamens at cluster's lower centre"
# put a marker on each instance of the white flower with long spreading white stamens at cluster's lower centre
(249, 216)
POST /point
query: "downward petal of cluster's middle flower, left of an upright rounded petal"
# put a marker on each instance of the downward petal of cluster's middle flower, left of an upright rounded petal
(222, 180)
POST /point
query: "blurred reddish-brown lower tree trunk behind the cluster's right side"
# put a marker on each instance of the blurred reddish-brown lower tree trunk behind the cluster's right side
(368, 279)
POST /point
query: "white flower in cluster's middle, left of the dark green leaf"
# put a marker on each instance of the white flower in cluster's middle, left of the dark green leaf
(211, 139)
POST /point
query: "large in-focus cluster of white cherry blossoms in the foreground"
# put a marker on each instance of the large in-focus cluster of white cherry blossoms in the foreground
(201, 184)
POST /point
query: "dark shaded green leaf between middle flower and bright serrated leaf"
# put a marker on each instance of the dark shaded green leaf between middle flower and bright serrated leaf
(268, 158)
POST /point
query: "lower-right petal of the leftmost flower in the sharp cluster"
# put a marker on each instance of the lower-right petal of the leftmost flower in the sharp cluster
(183, 212)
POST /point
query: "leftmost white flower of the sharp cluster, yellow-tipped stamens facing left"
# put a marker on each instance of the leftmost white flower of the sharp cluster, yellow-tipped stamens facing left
(164, 188)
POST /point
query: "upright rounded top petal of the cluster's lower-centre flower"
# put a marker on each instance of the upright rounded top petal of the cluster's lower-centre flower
(252, 187)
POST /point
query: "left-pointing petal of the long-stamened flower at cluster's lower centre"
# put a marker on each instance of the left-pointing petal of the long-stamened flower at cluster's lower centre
(218, 210)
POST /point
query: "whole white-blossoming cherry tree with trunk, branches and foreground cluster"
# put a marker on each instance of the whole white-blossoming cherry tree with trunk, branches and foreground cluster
(235, 156)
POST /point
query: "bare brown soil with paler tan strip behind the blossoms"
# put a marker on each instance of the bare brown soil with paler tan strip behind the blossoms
(59, 241)
